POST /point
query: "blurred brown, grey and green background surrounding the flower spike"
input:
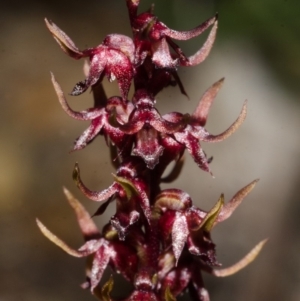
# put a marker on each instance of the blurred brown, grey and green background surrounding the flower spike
(258, 52)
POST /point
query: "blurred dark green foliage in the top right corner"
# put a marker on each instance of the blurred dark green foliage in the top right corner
(272, 26)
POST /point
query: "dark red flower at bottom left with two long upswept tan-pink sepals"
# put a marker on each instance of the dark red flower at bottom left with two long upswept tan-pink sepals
(105, 251)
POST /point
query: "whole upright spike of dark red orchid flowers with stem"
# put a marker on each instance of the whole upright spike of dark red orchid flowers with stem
(157, 239)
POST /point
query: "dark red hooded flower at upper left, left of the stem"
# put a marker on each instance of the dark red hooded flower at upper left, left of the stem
(113, 58)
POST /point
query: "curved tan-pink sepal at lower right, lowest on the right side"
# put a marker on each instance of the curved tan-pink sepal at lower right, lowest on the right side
(242, 263)
